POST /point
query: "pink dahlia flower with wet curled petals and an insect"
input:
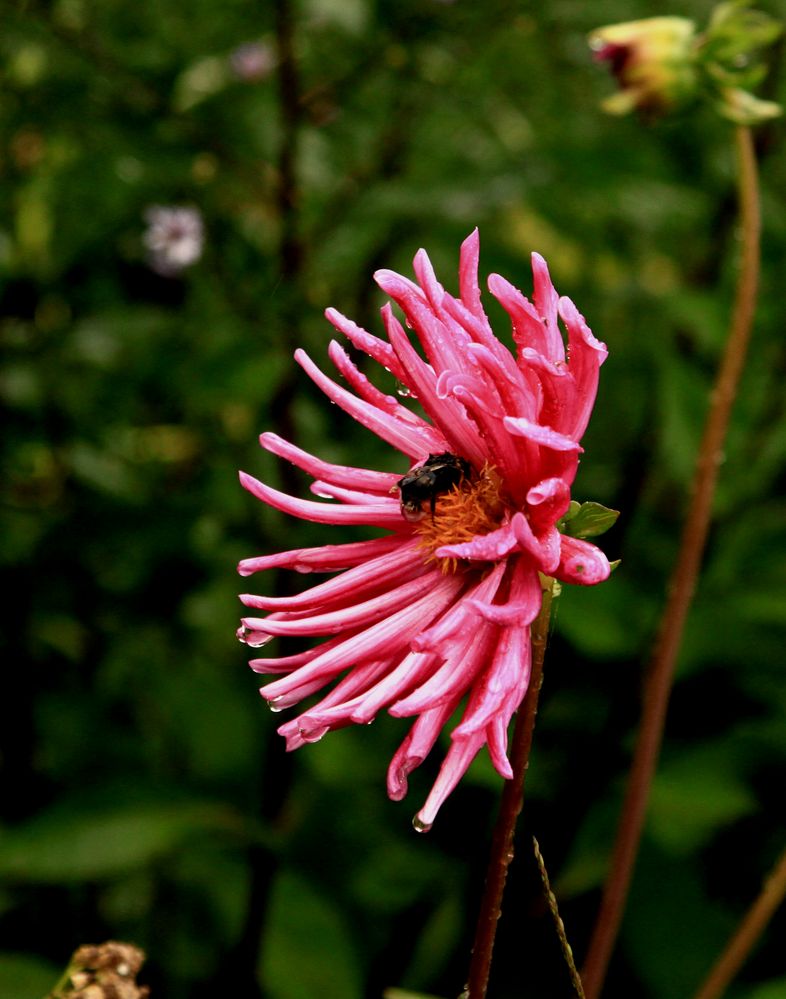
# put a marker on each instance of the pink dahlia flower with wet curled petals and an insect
(436, 611)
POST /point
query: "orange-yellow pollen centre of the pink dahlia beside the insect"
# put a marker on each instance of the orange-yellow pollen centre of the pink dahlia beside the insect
(475, 506)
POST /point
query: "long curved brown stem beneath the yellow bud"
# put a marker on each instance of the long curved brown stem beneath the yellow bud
(683, 579)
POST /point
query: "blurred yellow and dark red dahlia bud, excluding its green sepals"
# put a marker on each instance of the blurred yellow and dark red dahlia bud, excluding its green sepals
(653, 61)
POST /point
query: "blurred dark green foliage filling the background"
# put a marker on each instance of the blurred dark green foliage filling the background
(145, 795)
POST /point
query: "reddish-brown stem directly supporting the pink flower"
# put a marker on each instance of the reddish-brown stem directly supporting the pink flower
(510, 806)
